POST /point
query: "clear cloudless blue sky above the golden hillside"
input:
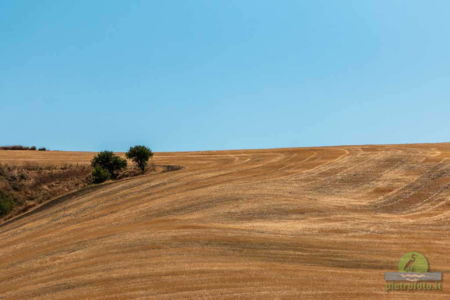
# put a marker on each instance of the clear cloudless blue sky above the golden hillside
(205, 75)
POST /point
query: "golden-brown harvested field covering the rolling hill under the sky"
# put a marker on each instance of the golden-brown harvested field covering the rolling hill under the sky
(300, 223)
